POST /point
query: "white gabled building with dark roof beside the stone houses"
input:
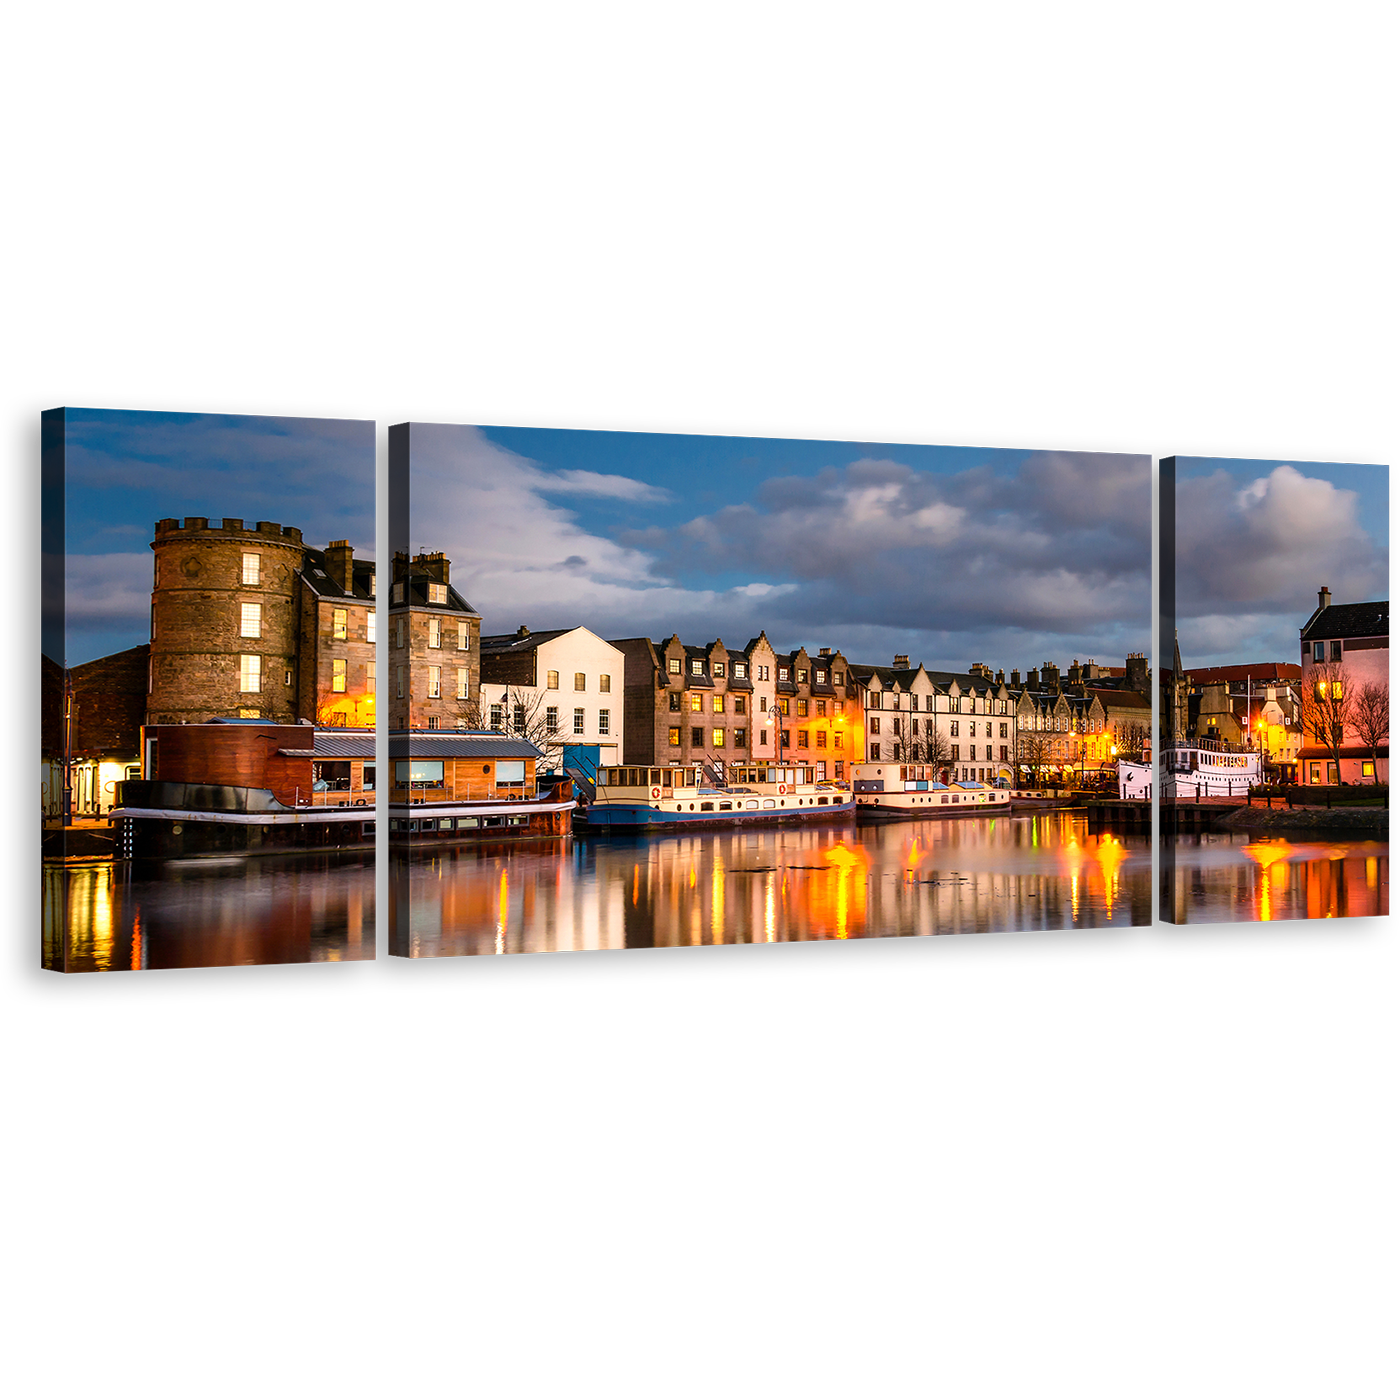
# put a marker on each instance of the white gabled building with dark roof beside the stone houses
(566, 684)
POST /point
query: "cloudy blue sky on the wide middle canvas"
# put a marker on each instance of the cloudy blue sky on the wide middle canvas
(947, 555)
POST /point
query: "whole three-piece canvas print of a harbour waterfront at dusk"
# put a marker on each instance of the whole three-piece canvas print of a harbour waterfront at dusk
(573, 691)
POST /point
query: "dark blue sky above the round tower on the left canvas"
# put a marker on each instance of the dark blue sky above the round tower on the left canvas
(125, 471)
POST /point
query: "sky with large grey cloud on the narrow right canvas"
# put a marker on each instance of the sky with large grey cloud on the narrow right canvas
(1256, 540)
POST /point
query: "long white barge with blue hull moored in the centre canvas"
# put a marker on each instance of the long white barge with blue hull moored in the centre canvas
(635, 799)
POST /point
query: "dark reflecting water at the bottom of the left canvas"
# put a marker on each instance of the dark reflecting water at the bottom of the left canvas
(269, 909)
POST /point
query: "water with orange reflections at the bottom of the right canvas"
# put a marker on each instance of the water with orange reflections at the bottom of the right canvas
(1235, 876)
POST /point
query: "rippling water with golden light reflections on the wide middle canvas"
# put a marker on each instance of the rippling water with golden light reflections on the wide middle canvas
(1041, 871)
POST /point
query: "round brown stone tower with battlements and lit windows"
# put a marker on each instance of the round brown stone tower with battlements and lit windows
(225, 621)
